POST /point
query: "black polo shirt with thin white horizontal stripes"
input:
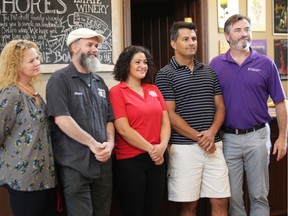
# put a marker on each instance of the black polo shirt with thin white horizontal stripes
(193, 93)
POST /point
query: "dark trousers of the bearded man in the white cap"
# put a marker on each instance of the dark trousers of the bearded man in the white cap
(86, 196)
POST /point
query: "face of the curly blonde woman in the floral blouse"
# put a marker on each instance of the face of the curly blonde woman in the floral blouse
(30, 66)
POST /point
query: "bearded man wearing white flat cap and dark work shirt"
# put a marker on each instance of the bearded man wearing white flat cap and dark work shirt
(83, 132)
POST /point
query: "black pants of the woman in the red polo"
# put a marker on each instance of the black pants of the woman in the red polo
(140, 185)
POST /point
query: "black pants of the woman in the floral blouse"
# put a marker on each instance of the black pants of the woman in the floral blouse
(34, 203)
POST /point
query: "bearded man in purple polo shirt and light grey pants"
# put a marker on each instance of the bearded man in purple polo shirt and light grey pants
(247, 79)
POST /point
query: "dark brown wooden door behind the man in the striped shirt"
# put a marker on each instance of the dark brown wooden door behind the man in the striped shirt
(148, 22)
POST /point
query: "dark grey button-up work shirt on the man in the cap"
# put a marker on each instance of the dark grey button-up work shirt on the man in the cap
(69, 93)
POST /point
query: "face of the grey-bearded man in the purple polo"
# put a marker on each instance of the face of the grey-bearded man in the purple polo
(240, 36)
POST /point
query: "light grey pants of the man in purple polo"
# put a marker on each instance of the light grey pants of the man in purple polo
(250, 153)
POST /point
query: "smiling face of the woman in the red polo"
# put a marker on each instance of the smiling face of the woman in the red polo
(138, 66)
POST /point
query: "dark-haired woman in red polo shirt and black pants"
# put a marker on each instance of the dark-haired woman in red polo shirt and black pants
(143, 132)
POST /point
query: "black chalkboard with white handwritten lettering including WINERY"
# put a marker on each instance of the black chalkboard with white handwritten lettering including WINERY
(48, 23)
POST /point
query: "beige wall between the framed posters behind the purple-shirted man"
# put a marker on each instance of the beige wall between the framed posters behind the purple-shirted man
(214, 36)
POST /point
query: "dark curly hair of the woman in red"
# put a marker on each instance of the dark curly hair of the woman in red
(122, 66)
